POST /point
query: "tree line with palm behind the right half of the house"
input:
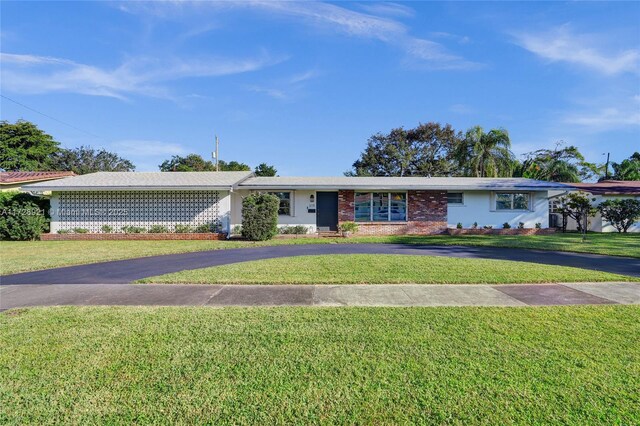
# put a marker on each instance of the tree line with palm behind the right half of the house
(433, 149)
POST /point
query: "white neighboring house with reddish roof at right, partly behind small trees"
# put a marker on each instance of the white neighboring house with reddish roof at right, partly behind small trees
(601, 191)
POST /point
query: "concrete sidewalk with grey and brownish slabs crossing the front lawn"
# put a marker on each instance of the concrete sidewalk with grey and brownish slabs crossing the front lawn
(319, 295)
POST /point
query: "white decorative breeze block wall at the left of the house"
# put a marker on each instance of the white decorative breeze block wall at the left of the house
(93, 209)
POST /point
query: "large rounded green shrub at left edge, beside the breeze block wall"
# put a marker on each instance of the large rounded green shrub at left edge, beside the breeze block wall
(22, 216)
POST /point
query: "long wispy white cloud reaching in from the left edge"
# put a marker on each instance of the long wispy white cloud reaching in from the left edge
(143, 76)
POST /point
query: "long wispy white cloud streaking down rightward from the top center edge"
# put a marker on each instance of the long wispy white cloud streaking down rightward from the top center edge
(423, 52)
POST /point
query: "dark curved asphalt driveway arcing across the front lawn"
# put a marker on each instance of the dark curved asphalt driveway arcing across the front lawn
(127, 271)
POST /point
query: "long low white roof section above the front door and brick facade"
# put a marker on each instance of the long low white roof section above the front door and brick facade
(449, 183)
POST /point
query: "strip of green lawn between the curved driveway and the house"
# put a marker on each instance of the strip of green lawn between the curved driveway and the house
(31, 256)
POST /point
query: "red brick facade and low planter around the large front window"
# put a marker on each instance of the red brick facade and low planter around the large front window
(426, 214)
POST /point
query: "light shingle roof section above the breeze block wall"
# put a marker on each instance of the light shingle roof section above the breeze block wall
(143, 180)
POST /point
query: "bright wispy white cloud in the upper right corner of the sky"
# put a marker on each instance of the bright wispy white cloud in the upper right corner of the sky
(563, 45)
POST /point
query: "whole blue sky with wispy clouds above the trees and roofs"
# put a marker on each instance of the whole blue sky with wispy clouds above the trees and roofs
(302, 85)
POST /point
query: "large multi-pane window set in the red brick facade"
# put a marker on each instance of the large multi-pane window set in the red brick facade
(380, 206)
